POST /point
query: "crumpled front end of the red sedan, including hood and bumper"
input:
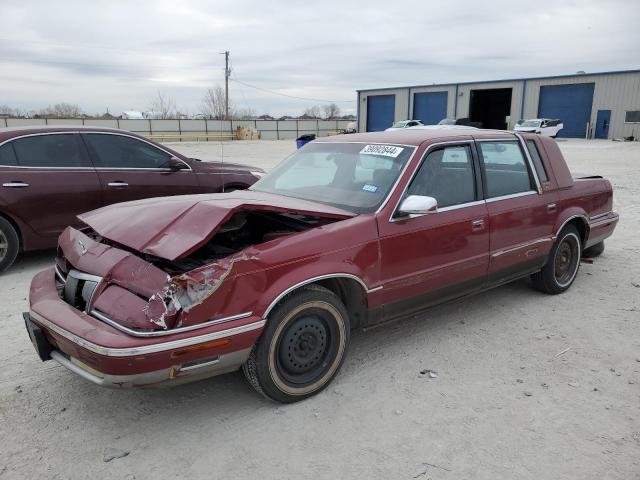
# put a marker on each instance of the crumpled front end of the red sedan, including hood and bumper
(168, 295)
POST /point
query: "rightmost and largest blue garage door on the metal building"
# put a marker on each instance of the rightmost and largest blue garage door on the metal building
(569, 103)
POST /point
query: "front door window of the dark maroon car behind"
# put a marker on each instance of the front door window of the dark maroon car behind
(118, 151)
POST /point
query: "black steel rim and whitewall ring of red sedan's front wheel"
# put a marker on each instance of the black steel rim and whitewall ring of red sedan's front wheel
(307, 348)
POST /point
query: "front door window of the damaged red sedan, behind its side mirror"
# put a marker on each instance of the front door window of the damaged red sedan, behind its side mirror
(446, 175)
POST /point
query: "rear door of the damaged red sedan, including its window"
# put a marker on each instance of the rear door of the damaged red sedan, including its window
(521, 215)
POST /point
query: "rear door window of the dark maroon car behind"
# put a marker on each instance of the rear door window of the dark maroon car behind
(57, 150)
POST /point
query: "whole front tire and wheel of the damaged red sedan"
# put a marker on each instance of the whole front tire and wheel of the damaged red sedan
(302, 347)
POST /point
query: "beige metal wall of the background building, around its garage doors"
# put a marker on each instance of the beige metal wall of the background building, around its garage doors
(618, 92)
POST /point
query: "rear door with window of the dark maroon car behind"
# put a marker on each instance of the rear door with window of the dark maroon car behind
(47, 180)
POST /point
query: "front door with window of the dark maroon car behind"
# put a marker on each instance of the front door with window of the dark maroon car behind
(131, 168)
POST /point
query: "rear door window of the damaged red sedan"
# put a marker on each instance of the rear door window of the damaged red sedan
(505, 168)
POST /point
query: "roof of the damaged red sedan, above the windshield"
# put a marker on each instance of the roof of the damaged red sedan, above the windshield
(416, 136)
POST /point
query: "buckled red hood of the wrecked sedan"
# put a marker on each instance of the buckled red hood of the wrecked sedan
(174, 227)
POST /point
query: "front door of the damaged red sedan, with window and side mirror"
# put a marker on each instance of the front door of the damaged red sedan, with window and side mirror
(432, 258)
